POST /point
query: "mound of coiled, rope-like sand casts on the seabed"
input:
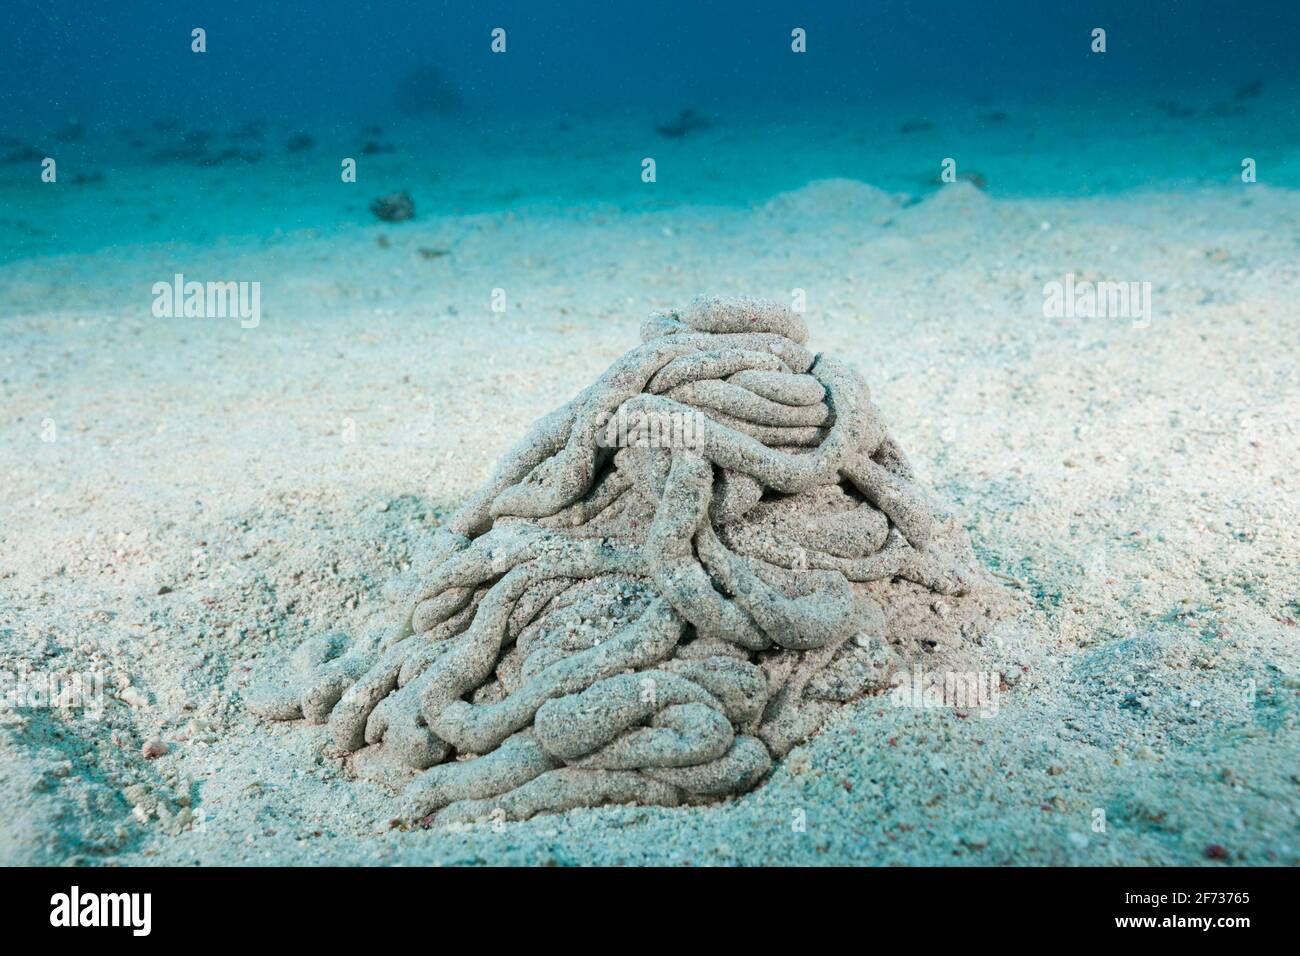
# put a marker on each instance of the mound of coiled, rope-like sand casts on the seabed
(670, 583)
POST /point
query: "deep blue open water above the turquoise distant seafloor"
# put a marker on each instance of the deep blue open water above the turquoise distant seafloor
(341, 60)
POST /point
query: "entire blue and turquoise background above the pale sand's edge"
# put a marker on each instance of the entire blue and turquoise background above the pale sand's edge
(586, 90)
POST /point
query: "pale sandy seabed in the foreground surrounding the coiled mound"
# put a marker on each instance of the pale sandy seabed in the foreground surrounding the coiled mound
(187, 500)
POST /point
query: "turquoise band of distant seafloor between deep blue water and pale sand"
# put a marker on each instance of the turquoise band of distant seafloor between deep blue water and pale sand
(172, 181)
